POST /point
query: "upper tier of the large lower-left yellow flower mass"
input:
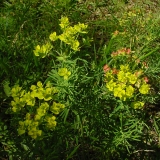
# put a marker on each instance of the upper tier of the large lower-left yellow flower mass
(22, 98)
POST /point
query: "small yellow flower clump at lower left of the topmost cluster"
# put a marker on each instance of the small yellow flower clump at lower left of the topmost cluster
(43, 50)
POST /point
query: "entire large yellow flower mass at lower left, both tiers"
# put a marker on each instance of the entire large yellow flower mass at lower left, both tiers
(38, 116)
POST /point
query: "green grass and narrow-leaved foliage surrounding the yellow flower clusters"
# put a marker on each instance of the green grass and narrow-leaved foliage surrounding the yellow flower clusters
(95, 124)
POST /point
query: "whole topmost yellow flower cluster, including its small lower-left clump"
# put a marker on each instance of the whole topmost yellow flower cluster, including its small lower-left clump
(69, 36)
